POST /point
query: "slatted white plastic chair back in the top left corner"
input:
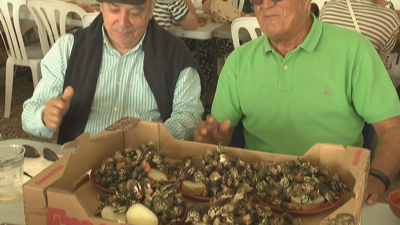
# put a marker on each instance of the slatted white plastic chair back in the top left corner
(13, 40)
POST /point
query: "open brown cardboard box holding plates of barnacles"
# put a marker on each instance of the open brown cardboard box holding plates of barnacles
(62, 194)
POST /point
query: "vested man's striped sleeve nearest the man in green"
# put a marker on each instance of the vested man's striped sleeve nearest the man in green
(187, 107)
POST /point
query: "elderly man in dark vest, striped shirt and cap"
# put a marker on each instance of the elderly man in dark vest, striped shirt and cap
(123, 64)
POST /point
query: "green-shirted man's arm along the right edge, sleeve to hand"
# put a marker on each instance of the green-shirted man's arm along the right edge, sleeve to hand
(375, 99)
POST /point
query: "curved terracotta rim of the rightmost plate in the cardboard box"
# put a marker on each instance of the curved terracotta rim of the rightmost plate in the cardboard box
(303, 212)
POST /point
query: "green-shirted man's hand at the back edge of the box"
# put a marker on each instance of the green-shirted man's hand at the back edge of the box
(211, 131)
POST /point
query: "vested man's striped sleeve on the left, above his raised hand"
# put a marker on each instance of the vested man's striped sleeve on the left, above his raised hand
(53, 67)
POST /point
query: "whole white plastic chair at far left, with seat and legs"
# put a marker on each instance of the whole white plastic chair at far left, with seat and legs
(18, 53)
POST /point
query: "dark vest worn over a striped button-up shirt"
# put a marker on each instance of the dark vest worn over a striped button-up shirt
(165, 57)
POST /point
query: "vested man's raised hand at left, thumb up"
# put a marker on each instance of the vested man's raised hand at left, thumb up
(56, 108)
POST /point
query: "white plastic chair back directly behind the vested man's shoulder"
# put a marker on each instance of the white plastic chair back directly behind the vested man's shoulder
(51, 19)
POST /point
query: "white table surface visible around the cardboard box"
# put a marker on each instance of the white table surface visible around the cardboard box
(14, 212)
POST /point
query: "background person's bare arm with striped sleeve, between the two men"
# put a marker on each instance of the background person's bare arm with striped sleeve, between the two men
(184, 13)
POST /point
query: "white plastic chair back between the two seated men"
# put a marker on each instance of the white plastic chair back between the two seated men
(248, 23)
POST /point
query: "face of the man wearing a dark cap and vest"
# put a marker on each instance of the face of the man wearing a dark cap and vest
(125, 24)
